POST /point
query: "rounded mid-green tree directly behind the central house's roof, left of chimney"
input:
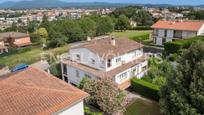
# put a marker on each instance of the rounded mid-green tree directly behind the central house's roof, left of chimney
(104, 26)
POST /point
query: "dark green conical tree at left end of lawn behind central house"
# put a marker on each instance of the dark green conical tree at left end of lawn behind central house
(122, 23)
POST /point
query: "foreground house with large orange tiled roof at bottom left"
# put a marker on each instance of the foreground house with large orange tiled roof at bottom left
(35, 92)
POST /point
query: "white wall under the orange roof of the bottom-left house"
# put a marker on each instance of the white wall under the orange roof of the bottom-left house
(77, 109)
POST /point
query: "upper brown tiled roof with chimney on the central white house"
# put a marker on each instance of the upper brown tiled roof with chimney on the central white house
(105, 49)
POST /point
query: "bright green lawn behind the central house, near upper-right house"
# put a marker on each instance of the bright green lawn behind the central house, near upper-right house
(139, 36)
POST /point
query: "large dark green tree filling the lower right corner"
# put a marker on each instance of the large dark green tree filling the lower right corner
(183, 93)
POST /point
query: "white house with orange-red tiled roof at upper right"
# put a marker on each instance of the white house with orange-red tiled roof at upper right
(167, 31)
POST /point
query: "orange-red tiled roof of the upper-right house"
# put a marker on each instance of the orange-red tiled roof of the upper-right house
(188, 25)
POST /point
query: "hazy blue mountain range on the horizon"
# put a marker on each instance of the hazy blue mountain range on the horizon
(57, 3)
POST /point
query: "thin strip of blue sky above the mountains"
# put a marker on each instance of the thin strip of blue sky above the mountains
(174, 2)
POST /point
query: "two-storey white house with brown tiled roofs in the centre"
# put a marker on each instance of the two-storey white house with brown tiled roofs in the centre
(117, 59)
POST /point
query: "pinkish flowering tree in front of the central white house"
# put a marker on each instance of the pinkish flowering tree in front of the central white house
(104, 94)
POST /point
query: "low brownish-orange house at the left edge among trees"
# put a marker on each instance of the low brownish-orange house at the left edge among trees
(13, 39)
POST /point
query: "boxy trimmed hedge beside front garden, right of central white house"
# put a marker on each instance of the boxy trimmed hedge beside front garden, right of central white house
(145, 88)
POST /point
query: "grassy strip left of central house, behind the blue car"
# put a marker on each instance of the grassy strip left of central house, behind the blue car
(30, 56)
